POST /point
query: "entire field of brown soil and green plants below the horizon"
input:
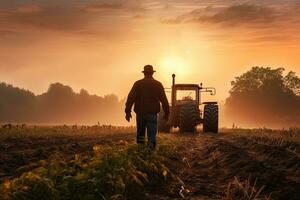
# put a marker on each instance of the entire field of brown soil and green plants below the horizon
(103, 162)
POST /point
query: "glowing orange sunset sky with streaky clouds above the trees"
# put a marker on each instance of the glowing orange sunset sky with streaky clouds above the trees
(102, 45)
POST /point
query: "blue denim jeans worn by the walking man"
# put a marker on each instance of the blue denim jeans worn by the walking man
(149, 122)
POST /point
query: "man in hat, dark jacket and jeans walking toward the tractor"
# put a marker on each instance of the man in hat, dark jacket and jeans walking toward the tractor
(146, 95)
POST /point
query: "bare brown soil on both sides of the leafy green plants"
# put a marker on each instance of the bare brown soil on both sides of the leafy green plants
(224, 166)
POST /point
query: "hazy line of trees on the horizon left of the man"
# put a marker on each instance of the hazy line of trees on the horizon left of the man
(60, 104)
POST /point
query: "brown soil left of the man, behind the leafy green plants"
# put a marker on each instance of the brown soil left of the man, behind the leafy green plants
(20, 154)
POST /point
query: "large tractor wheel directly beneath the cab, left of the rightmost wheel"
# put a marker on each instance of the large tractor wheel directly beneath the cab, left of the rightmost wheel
(188, 118)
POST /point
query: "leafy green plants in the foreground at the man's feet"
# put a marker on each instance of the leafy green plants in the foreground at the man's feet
(113, 172)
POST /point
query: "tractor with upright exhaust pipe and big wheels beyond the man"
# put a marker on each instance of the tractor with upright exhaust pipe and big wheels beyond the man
(185, 111)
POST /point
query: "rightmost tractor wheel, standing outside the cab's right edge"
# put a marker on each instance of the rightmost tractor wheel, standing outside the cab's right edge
(211, 118)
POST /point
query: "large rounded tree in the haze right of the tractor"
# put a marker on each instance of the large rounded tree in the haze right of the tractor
(263, 96)
